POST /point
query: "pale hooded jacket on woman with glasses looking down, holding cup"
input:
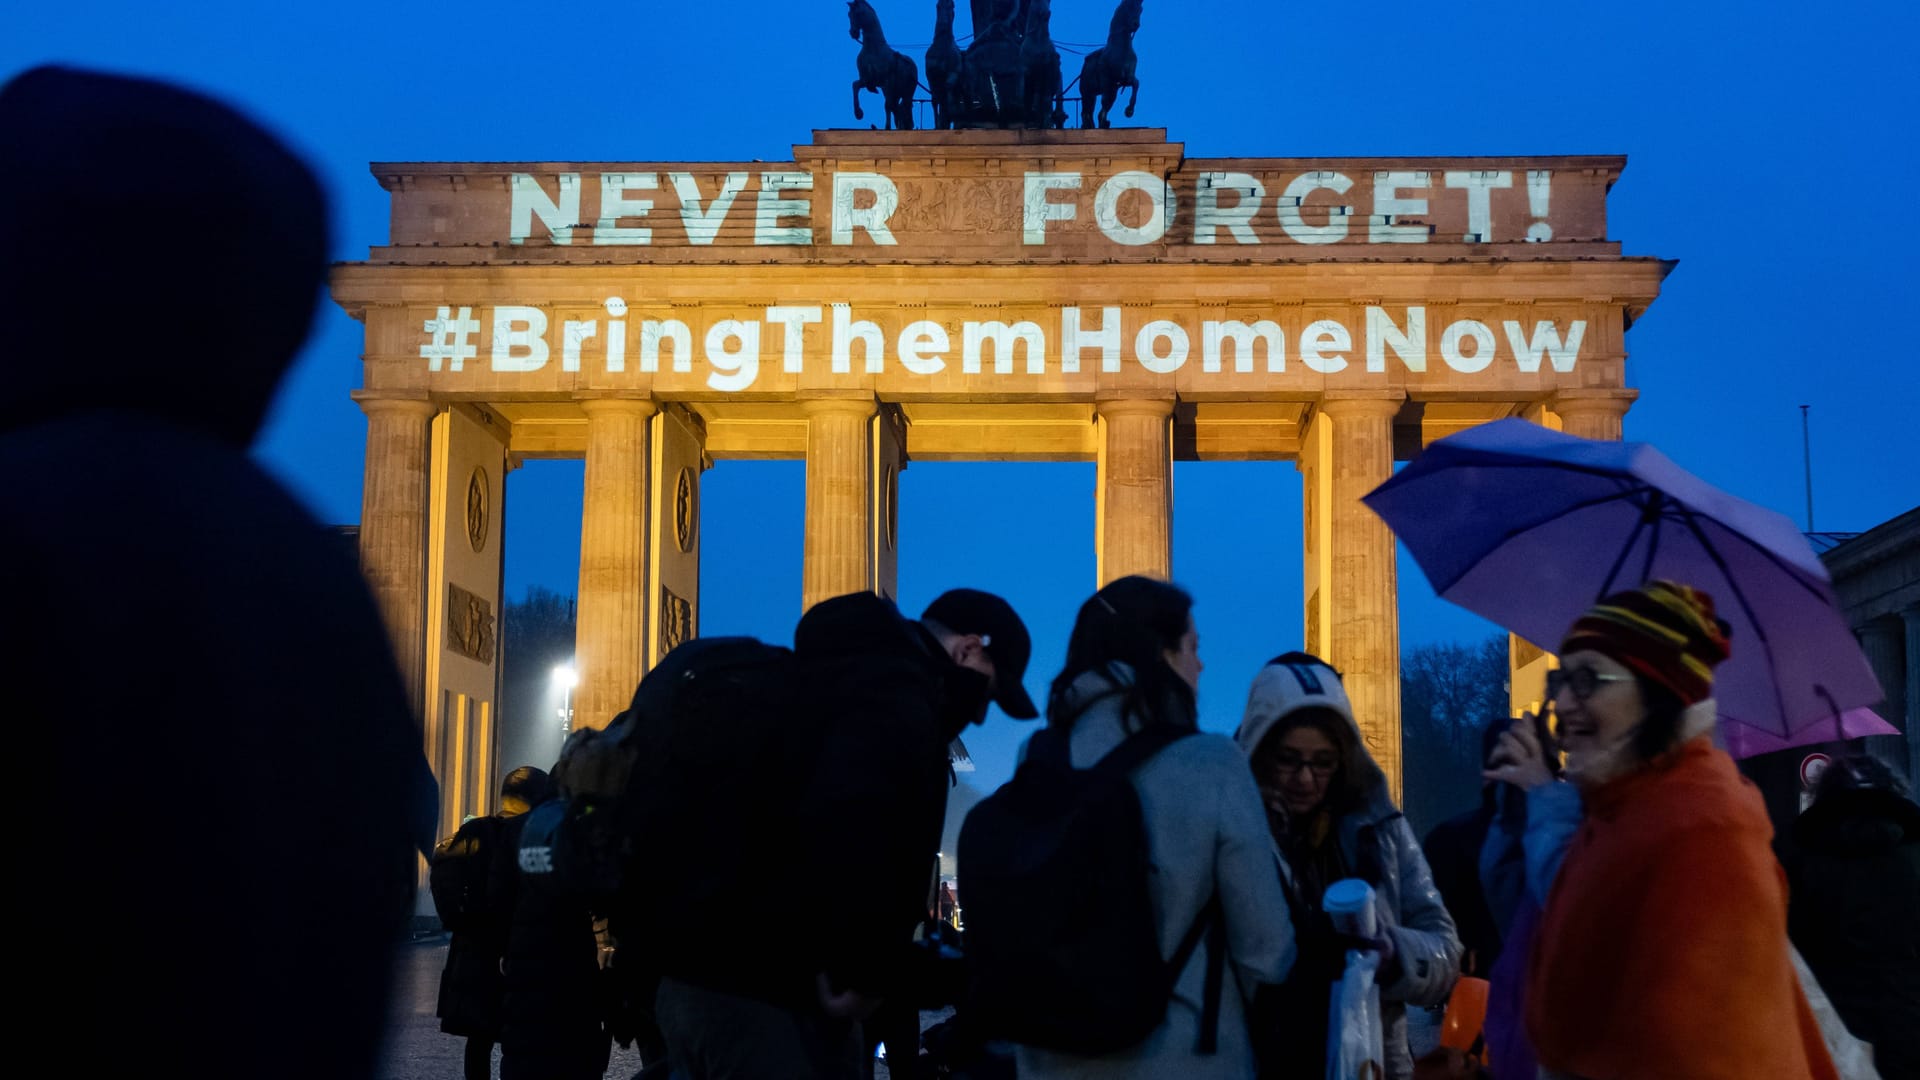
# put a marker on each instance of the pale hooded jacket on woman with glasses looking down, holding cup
(1376, 837)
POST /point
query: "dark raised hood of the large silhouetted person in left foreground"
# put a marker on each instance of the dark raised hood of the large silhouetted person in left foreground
(158, 255)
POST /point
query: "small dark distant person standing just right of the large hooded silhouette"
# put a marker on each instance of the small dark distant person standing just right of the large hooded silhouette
(477, 877)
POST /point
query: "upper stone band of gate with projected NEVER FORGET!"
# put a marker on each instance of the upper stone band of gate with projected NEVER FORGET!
(1070, 195)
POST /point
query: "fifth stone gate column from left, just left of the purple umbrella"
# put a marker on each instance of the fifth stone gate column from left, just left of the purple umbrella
(1355, 591)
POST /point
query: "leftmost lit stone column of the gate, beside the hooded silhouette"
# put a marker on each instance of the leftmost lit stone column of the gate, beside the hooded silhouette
(395, 528)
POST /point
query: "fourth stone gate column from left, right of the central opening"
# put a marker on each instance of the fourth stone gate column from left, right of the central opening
(1134, 504)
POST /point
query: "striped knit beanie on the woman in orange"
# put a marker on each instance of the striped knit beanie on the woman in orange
(1662, 631)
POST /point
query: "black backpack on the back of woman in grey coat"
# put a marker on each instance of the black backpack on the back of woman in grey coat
(1061, 931)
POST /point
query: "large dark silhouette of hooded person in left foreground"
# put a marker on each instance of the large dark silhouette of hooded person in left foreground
(229, 854)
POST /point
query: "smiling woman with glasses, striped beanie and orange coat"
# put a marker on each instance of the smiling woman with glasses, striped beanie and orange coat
(1664, 945)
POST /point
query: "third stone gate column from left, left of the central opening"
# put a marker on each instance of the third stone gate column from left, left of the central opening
(840, 499)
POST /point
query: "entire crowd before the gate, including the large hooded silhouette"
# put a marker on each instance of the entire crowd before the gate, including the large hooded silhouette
(1620, 887)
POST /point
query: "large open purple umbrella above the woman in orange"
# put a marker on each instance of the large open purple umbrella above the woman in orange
(1529, 528)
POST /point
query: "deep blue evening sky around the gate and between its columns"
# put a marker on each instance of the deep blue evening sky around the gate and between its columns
(1771, 151)
